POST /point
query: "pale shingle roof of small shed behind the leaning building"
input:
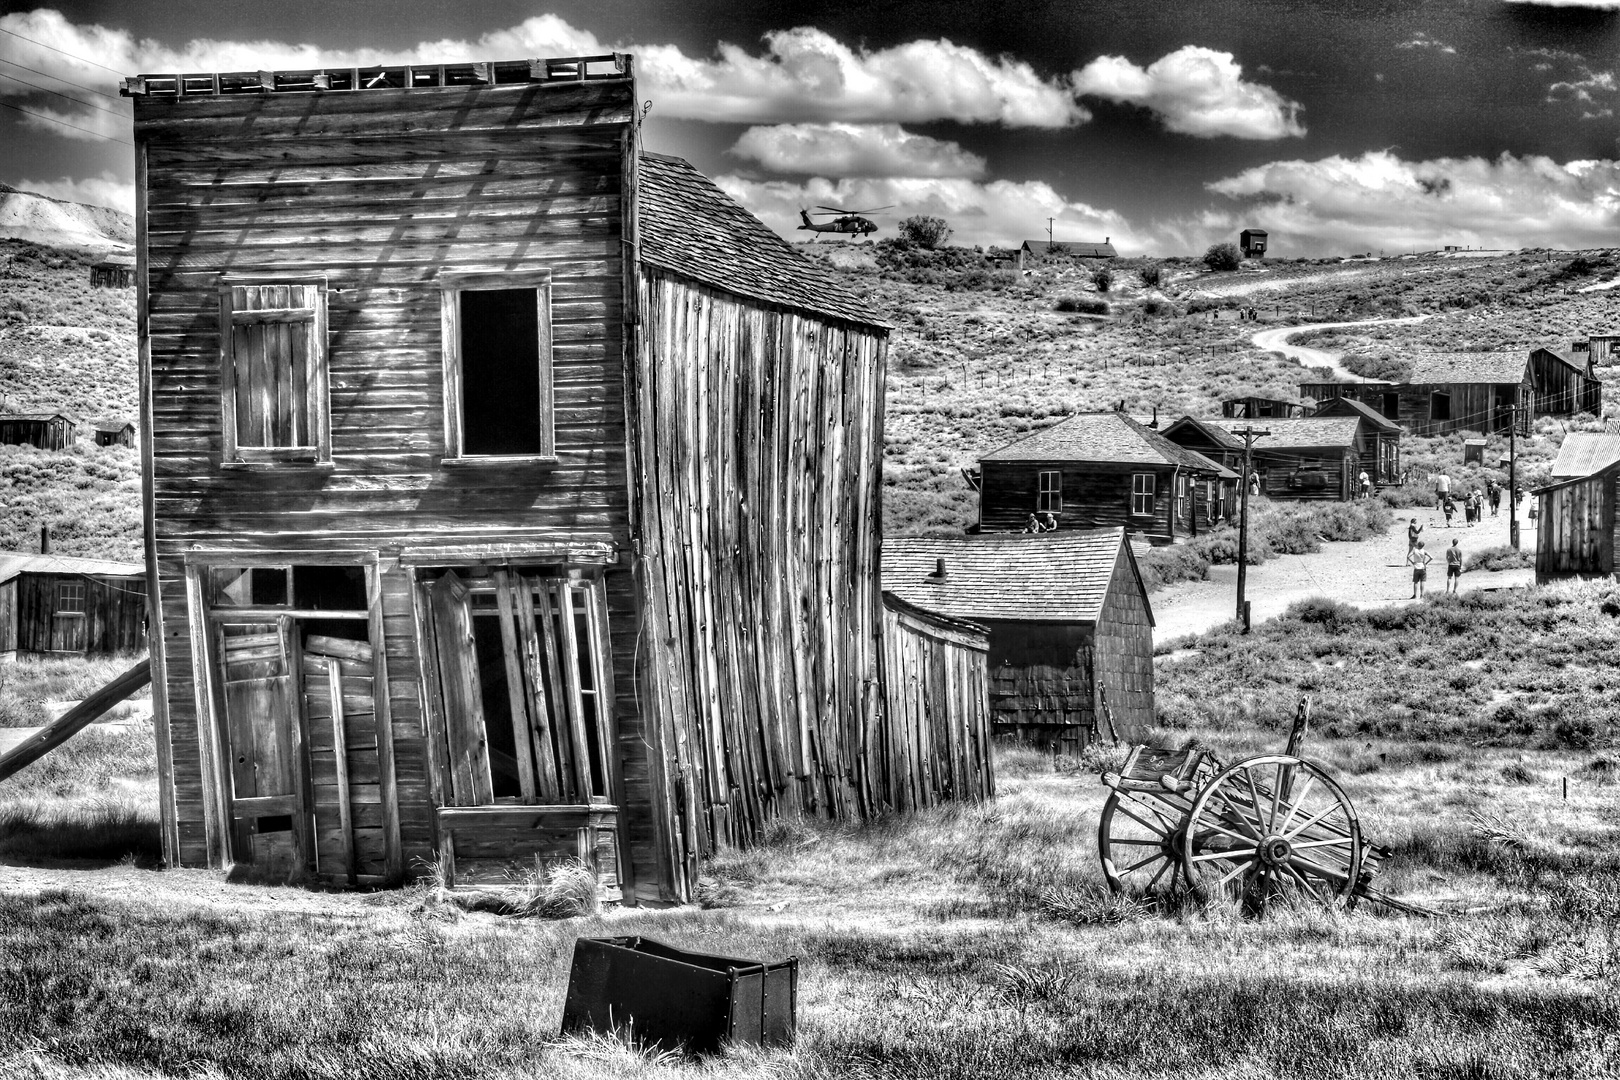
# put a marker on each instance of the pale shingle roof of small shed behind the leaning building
(1054, 577)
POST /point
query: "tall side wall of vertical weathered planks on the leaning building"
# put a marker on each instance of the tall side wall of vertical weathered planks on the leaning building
(759, 441)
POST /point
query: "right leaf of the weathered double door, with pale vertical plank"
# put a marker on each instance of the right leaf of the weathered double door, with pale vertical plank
(341, 726)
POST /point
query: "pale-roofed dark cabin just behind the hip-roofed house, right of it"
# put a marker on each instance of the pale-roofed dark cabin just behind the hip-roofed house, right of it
(1307, 459)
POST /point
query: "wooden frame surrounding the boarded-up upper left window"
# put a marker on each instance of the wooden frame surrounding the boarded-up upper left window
(317, 376)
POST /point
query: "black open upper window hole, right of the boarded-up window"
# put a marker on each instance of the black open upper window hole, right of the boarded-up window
(500, 372)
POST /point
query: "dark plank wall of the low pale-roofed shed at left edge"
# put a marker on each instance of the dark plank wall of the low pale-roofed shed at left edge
(95, 616)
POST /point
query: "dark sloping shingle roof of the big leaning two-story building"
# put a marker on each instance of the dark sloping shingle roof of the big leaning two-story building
(694, 229)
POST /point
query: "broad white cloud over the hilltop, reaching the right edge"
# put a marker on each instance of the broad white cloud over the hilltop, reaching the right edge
(1381, 202)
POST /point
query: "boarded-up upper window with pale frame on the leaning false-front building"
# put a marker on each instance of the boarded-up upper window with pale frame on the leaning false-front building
(275, 373)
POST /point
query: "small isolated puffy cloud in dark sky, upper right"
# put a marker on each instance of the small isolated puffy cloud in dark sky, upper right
(1195, 91)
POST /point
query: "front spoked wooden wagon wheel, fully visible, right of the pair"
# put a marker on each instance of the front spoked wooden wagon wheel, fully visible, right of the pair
(1273, 830)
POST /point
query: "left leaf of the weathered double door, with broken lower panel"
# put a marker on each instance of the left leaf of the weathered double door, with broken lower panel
(265, 747)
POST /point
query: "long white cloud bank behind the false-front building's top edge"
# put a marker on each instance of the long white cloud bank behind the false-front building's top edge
(803, 75)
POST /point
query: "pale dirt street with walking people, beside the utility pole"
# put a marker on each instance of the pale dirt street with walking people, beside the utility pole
(1366, 574)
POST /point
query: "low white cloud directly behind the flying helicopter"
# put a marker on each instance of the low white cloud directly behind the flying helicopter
(995, 213)
